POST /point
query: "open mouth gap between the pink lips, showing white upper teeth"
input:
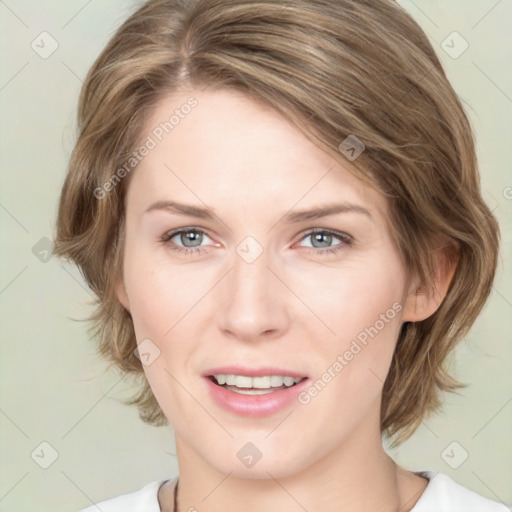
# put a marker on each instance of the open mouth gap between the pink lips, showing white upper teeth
(261, 385)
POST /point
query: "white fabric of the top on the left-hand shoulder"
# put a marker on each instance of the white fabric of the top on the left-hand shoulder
(143, 500)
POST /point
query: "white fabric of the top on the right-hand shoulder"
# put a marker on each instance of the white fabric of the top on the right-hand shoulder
(445, 495)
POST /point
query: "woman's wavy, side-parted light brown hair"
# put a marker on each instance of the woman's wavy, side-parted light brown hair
(351, 67)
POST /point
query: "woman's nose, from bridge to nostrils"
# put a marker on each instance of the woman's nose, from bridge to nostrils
(254, 303)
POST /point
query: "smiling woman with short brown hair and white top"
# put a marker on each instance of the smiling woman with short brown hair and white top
(278, 207)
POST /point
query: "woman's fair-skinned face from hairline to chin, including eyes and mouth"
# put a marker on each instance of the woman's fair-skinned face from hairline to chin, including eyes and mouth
(238, 279)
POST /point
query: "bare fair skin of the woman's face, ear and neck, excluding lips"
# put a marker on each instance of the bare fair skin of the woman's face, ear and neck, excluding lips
(291, 308)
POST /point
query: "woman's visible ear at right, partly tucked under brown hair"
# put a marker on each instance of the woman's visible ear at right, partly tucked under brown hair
(422, 300)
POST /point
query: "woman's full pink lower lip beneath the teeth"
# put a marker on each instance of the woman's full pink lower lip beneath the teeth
(254, 406)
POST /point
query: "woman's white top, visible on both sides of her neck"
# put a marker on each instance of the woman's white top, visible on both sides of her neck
(442, 494)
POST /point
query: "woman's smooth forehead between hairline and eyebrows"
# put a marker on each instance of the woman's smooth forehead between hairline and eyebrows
(229, 150)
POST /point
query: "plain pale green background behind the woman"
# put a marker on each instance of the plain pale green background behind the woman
(52, 386)
